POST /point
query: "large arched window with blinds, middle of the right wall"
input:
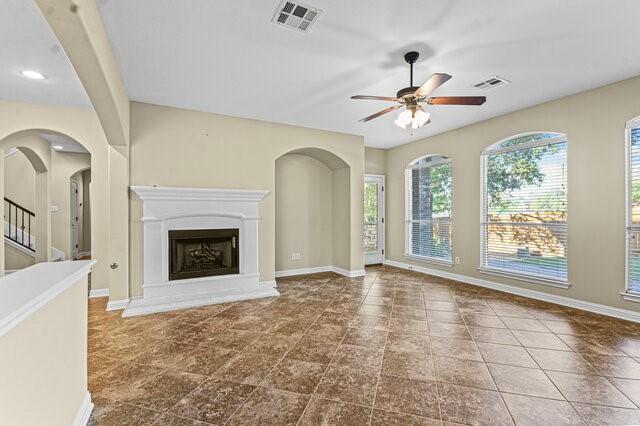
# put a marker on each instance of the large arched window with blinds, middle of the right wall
(524, 208)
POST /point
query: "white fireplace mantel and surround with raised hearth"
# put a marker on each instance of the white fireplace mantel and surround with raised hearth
(170, 208)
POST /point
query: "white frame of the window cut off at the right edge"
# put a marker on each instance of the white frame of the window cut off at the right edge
(626, 294)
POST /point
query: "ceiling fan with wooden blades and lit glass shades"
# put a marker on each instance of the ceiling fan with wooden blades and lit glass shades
(411, 97)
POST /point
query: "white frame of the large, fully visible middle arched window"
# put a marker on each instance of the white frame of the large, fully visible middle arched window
(484, 155)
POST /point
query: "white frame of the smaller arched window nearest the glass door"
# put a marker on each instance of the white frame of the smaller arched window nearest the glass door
(407, 208)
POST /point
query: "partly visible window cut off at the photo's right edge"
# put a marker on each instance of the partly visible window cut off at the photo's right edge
(633, 209)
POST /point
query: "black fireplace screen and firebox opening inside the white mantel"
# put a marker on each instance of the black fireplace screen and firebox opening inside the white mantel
(203, 252)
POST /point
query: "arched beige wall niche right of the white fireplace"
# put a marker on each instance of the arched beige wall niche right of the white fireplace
(313, 212)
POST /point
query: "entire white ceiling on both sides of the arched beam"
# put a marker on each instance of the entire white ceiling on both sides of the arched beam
(229, 58)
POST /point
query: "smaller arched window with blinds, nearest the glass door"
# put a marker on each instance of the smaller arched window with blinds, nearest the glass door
(428, 213)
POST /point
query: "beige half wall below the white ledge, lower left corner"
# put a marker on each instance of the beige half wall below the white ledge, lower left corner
(44, 363)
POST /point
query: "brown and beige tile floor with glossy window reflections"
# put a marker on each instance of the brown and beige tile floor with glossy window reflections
(393, 347)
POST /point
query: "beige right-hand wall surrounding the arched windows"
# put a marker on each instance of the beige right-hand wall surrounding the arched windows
(594, 122)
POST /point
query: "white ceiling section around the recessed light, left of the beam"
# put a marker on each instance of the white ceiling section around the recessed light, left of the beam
(27, 43)
